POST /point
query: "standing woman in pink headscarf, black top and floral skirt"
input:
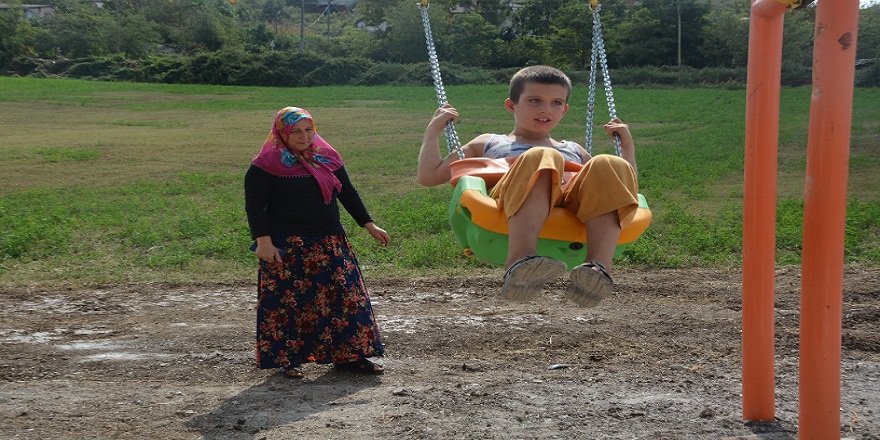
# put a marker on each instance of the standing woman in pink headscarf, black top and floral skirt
(312, 302)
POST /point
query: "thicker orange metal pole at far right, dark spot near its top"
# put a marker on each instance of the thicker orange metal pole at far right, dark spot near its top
(825, 218)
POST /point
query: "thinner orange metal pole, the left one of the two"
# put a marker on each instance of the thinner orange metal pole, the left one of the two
(759, 207)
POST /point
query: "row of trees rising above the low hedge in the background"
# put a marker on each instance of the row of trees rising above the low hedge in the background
(488, 34)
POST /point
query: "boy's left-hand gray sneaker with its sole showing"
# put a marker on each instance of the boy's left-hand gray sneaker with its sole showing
(526, 278)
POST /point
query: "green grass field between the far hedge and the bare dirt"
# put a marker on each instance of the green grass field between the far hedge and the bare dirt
(124, 183)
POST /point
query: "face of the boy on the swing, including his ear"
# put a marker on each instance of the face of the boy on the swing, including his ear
(540, 106)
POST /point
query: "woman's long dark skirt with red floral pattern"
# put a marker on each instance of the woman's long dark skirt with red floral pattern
(314, 307)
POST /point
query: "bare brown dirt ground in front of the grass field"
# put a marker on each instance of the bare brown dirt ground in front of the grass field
(658, 360)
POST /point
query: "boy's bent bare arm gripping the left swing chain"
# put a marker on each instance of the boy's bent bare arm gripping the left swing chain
(433, 168)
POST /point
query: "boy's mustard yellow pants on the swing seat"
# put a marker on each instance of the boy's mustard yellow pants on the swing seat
(606, 183)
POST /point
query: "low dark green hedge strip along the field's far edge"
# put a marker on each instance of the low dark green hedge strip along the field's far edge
(292, 68)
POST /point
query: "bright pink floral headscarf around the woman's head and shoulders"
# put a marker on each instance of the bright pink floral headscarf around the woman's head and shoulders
(320, 160)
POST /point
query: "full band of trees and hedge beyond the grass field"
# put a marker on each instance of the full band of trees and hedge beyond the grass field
(280, 43)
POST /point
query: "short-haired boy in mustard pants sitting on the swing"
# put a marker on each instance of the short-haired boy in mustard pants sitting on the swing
(603, 194)
